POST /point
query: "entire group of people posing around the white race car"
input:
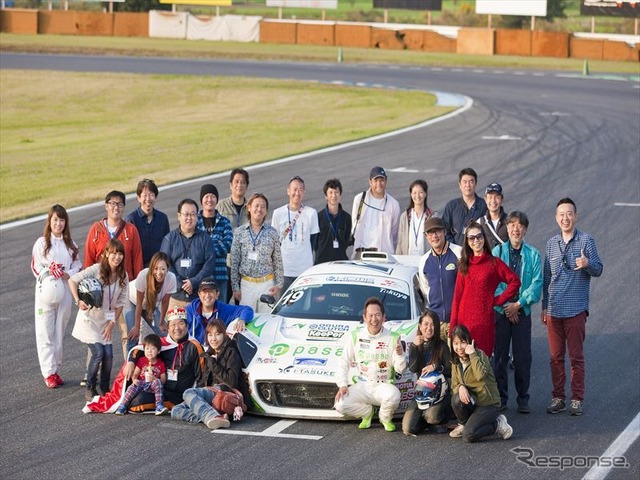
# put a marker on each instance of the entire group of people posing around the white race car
(478, 277)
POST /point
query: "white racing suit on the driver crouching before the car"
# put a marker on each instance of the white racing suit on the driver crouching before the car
(376, 361)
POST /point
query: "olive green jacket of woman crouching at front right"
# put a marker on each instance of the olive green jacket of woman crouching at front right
(478, 378)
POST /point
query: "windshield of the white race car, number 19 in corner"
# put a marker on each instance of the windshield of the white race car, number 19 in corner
(341, 301)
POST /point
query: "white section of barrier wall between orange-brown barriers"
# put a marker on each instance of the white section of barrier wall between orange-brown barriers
(183, 25)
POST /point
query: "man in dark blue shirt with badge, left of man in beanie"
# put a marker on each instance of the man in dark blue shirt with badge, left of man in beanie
(191, 254)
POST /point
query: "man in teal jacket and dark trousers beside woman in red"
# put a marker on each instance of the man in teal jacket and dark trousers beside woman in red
(513, 320)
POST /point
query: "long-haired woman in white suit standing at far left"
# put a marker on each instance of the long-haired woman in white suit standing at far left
(56, 253)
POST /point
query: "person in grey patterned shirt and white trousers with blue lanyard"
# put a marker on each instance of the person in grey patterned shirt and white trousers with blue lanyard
(256, 260)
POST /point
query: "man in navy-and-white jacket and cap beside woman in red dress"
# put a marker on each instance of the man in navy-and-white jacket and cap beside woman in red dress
(438, 271)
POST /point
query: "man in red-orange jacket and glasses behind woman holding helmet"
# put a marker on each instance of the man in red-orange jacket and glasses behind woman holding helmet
(113, 226)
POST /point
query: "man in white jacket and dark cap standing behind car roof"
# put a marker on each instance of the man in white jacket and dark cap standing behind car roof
(375, 216)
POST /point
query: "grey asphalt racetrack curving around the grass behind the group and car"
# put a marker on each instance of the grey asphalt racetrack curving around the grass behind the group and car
(542, 135)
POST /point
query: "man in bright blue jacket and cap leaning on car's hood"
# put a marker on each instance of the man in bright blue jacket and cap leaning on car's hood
(207, 306)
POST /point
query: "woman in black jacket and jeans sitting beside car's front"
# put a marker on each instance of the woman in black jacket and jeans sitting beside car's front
(222, 365)
